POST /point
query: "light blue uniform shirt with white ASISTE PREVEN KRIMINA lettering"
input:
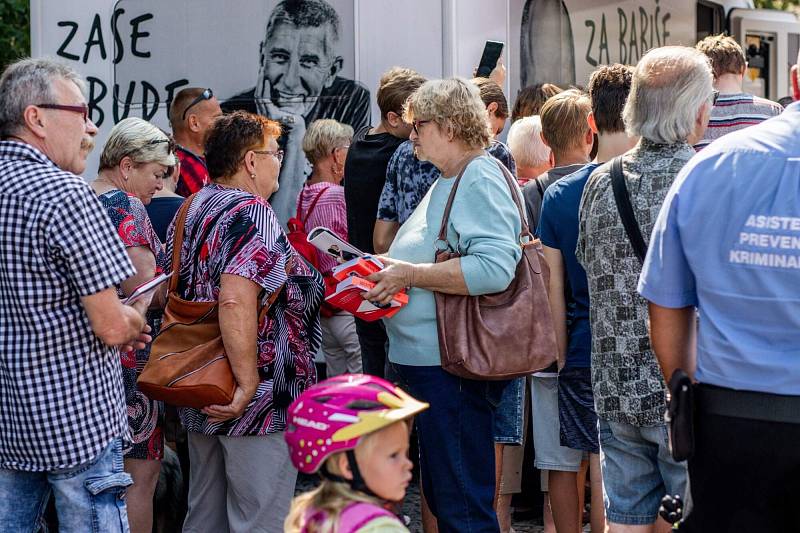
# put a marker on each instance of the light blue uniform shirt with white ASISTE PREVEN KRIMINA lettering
(727, 240)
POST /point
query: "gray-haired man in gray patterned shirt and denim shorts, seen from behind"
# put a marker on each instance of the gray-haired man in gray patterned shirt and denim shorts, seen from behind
(668, 107)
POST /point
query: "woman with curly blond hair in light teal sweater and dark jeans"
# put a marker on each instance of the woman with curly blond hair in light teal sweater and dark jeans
(456, 434)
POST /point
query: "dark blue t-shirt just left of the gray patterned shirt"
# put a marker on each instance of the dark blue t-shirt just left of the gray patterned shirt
(558, 229)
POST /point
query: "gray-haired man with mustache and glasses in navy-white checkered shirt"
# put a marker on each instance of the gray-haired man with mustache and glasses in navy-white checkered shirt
(63, 420)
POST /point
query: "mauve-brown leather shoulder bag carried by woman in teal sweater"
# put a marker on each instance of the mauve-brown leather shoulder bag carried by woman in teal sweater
(503, 335)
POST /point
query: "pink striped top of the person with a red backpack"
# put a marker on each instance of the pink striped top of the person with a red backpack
(330, 211)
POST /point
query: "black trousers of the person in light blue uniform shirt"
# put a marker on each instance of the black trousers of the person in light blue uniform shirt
(744, 476)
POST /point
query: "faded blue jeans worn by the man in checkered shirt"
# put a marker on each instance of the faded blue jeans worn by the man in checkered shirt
(89, 497)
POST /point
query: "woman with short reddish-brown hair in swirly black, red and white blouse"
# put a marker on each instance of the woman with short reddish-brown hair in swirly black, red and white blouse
(235, 252)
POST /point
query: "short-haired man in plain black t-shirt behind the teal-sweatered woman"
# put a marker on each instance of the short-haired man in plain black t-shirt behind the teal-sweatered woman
(365, 174)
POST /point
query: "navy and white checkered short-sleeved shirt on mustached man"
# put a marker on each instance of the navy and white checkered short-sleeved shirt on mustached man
(61, 394)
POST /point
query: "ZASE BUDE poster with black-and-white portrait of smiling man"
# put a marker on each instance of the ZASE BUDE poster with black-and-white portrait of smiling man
(292, 61)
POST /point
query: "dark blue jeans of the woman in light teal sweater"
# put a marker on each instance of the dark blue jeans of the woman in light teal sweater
(456, 446)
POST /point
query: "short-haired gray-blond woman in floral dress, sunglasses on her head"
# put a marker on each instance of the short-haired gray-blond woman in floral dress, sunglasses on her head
(135, 161)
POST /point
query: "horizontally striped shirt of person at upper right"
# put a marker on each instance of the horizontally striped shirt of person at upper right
(736, 111)
